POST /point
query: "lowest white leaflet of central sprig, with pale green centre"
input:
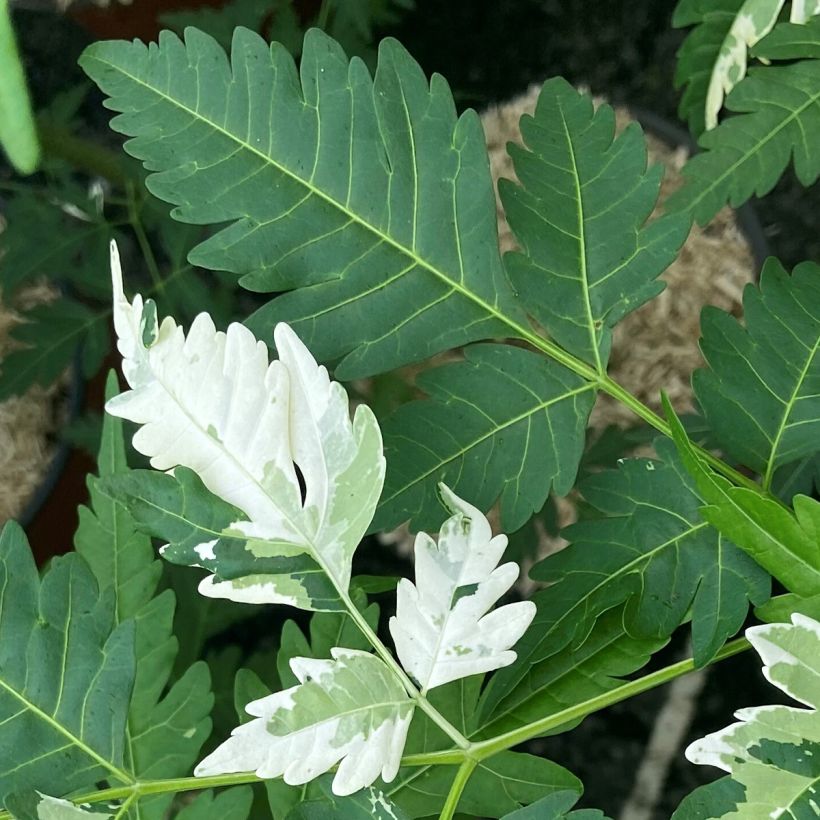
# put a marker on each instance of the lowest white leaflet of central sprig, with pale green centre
(351, 710)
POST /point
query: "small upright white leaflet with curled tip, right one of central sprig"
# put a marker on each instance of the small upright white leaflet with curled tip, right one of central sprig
(441, 629)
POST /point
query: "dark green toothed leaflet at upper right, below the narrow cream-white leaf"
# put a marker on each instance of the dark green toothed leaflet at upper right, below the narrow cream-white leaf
(747, 154)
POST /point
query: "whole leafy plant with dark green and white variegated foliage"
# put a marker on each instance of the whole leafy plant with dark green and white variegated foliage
(364, 205)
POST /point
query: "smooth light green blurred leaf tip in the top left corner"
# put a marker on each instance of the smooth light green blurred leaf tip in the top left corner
(18, 132)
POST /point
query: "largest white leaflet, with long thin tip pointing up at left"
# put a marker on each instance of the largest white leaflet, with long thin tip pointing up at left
(212, 402)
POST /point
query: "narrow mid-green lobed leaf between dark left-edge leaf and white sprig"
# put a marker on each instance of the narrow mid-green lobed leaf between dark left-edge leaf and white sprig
(165, 729)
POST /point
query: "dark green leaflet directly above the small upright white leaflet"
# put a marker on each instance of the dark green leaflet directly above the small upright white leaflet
(505, 422)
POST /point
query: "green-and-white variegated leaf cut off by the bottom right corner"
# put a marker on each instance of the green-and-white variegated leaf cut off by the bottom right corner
(774, 751)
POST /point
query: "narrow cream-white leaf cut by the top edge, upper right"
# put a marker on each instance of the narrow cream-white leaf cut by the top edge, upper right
(754, 20)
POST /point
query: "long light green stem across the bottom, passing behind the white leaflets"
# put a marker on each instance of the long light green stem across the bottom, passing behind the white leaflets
(467, 759)
